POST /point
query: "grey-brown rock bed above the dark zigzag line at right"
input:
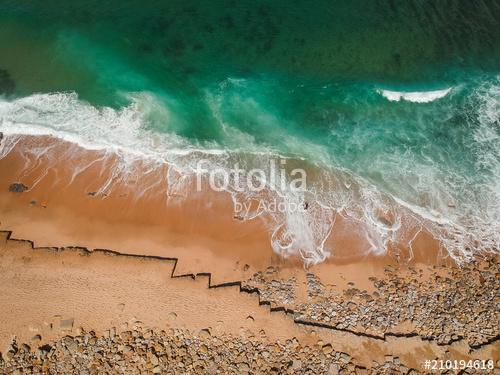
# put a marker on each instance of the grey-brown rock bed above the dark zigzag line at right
(444, 305)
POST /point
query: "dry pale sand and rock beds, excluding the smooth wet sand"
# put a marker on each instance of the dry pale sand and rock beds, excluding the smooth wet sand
(96, 312)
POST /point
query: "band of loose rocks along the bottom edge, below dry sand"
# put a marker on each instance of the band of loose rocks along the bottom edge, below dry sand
(181, 352)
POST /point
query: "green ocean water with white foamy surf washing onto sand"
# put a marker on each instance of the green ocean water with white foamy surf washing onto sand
(393, 107)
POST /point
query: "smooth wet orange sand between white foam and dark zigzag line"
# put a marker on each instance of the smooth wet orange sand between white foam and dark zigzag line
(71, 189)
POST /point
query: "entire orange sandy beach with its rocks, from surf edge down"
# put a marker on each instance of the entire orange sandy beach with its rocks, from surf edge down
(172, 287)
